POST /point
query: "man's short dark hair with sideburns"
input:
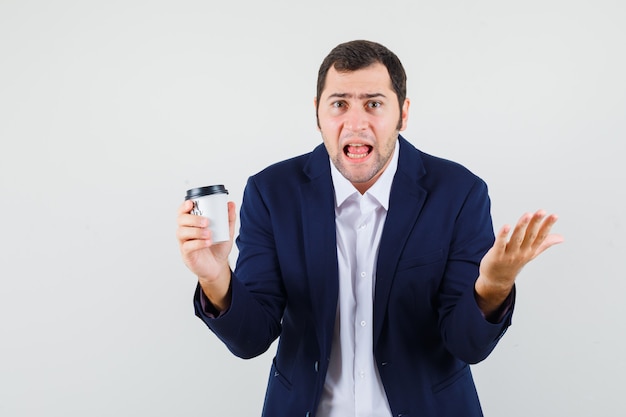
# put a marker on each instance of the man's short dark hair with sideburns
(359, 54)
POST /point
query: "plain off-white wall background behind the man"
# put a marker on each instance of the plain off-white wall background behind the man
(110, 111)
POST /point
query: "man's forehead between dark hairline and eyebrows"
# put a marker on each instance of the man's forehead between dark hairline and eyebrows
(373, 79)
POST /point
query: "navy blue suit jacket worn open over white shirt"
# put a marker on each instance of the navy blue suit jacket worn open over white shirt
(427, 325)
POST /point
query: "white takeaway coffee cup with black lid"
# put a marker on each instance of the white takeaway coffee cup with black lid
(211, 202)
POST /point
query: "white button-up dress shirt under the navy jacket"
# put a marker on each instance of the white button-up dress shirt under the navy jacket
(353, 387)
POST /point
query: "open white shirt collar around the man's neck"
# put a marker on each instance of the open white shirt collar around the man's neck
(380, 190)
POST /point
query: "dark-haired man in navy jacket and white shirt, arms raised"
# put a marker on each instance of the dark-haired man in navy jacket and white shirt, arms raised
(374, 262)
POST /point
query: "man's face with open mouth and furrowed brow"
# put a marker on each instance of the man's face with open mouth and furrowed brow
(358, 117)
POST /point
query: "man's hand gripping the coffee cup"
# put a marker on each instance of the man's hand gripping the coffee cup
(208, 261)
